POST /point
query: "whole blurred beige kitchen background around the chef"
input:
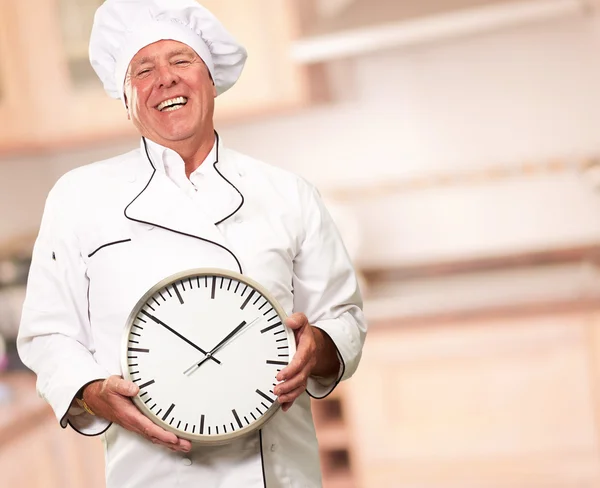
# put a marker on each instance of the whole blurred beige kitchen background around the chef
(457, 144)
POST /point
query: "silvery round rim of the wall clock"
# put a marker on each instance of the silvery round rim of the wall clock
(202, 439)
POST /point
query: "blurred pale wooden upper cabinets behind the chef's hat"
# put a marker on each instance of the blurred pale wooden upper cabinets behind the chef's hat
(50, 96)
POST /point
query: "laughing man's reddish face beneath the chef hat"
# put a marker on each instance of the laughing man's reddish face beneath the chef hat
(169, 93)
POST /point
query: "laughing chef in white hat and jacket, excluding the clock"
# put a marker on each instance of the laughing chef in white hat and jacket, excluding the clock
(182, 200)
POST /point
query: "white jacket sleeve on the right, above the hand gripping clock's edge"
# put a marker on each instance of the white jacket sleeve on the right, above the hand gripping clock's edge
(326, 289)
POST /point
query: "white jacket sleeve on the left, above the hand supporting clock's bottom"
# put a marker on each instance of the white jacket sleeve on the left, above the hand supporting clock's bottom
(55, 338)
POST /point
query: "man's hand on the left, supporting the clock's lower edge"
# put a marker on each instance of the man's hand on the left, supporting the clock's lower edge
(111, 399)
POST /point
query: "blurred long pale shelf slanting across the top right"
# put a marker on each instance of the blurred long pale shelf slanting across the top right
(364, 28)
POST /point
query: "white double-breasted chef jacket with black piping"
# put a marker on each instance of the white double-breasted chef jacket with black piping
(113, 229)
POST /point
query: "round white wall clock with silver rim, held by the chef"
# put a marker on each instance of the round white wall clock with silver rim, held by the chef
(204, 347)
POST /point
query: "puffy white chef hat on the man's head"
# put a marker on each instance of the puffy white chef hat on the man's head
(123, 27)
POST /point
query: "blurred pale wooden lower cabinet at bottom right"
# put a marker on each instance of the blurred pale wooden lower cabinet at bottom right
(495, 403)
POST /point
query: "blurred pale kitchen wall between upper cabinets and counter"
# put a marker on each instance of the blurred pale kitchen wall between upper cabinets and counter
(503, 99)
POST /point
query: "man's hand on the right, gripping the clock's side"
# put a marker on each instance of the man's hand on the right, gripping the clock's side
(315, 351)
